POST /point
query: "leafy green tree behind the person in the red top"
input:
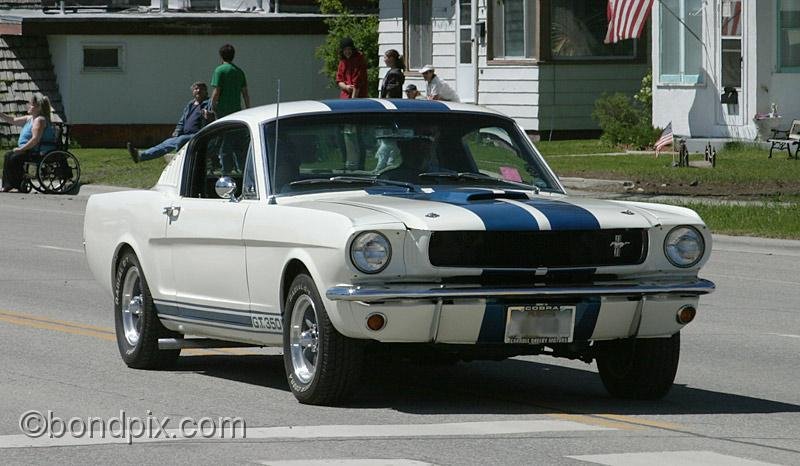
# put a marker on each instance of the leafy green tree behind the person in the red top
(363, 29)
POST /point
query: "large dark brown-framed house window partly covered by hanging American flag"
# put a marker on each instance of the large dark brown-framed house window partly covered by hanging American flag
(578, 29)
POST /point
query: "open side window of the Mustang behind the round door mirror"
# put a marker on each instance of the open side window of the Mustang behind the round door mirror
(225, 152)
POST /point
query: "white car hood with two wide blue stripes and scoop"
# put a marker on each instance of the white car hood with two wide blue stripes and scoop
(498, 210)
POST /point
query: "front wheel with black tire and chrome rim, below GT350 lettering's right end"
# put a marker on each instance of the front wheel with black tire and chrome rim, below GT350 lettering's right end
(337, 360)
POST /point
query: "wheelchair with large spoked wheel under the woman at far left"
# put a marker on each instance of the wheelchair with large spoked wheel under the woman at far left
(55, 172)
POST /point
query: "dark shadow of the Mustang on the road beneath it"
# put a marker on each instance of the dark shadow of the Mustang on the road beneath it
(513, 386)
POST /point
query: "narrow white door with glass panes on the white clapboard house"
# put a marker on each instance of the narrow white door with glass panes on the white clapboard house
(466, 51)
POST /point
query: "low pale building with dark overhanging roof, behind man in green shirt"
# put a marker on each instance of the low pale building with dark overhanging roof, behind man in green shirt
(119, 75)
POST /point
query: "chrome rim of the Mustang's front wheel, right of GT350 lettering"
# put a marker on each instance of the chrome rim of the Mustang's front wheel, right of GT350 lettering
(304, 339)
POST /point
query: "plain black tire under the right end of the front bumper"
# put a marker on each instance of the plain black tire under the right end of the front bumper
(639, 368)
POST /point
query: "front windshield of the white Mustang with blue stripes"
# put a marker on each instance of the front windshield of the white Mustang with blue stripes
(402, 151)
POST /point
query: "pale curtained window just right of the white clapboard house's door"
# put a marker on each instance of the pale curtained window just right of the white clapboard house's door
(514, 28)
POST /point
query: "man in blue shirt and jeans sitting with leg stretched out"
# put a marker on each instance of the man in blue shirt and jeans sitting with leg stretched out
(195, 115)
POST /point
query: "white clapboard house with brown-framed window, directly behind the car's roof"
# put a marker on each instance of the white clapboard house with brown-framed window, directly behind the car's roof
(542, 62)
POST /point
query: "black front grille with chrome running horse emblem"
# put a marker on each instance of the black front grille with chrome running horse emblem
(535, 249)
